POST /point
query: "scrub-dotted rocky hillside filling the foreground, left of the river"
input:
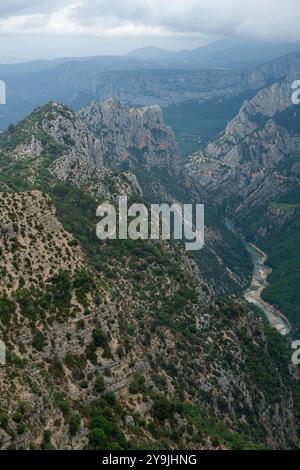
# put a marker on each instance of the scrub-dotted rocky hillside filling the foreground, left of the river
(179, 362)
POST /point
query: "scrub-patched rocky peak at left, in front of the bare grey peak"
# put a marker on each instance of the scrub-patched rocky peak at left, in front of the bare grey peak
(55, 140)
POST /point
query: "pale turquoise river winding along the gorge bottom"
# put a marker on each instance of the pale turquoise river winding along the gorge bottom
(259, 283)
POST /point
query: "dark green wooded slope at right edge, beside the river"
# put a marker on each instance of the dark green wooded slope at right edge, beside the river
(280, 241)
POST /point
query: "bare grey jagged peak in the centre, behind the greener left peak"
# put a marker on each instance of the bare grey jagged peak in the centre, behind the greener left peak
(132, 136)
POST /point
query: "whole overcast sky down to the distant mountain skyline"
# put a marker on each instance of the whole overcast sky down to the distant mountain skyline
(55, 28)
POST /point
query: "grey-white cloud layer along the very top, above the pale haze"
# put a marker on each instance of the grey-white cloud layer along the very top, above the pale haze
(267, 19)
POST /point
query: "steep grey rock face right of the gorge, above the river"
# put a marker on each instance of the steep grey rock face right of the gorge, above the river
(255, 159)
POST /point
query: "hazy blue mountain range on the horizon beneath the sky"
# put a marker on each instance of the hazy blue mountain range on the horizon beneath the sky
(222, 54)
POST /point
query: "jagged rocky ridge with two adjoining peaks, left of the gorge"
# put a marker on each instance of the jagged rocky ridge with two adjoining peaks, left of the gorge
(90, 147)
